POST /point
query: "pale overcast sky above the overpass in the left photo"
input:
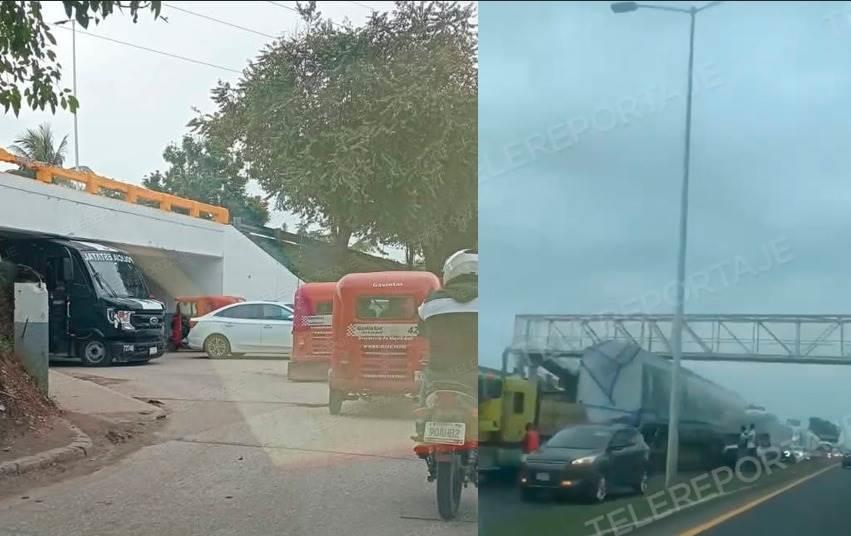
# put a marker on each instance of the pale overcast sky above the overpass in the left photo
(135, 102)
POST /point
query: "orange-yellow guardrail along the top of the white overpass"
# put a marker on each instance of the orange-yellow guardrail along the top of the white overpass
(130, 192)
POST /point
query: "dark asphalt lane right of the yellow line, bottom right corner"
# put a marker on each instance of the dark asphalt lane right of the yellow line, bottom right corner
(818, 506)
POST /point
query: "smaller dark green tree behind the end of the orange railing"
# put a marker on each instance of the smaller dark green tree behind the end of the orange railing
(200, 170)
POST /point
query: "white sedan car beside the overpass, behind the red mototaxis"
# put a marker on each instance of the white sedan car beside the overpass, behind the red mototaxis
(254, 327)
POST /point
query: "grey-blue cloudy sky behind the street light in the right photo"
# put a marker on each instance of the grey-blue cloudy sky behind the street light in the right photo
(580, 147)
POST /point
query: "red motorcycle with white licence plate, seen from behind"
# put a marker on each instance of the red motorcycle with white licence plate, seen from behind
(447, 442)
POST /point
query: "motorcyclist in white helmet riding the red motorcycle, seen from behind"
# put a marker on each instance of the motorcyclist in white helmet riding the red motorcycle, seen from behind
(449, 321)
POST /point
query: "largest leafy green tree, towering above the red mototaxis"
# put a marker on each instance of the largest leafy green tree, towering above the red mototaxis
(367, 132)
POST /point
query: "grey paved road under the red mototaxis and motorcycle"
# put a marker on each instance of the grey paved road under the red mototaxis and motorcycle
(246, 452)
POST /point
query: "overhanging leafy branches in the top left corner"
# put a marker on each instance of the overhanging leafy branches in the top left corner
(29, 69)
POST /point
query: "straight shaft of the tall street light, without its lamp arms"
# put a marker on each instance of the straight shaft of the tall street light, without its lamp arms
(676, 336)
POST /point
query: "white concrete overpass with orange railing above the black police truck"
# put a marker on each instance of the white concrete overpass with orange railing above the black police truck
(184, 247)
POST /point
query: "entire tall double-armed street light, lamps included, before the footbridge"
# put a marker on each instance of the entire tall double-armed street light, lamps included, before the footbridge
(672, 457)
